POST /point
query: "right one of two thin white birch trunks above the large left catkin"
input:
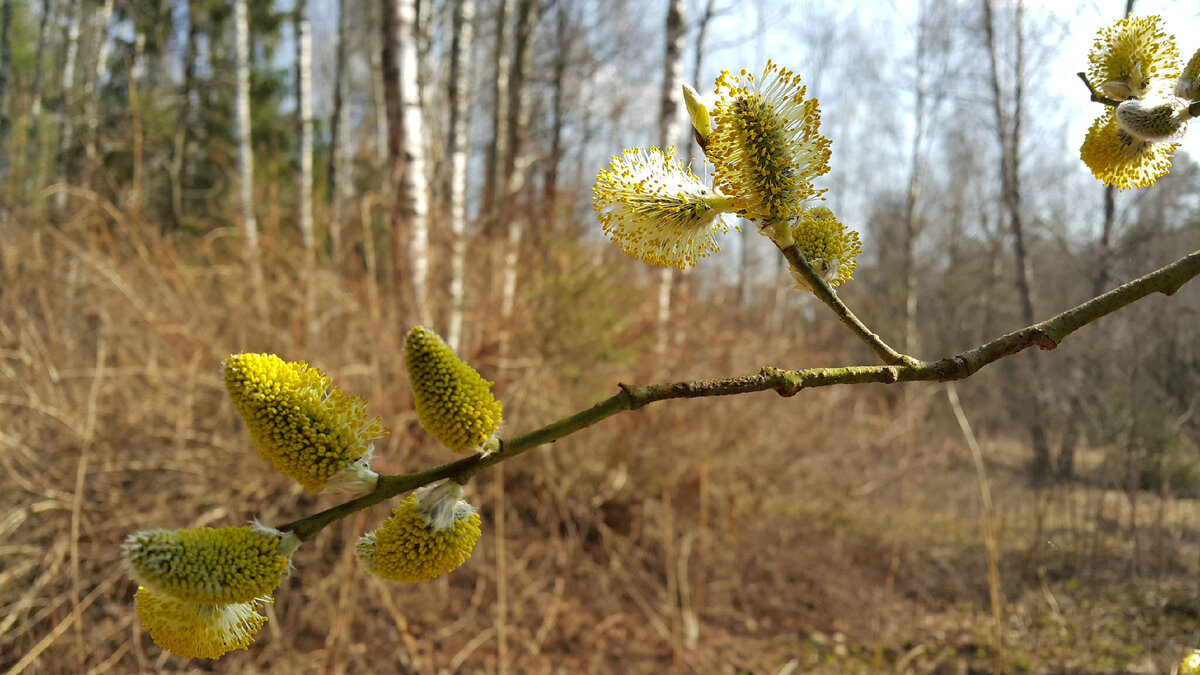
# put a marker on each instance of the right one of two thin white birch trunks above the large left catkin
(304, 110)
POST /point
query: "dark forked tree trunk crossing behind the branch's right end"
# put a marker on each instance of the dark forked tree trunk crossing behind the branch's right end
(1009, 132)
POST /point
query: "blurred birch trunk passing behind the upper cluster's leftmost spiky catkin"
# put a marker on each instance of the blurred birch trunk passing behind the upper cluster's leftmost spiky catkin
(670, 100)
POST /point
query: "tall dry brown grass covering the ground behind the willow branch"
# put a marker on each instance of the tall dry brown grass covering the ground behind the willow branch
(755, 534)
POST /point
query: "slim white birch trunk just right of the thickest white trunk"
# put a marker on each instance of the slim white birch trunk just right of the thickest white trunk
(457, 148)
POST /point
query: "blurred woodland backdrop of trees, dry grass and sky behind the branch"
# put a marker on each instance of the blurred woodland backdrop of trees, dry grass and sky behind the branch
(185, 180)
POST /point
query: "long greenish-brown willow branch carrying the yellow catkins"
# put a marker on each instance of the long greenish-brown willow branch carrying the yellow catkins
(1047, 336)
